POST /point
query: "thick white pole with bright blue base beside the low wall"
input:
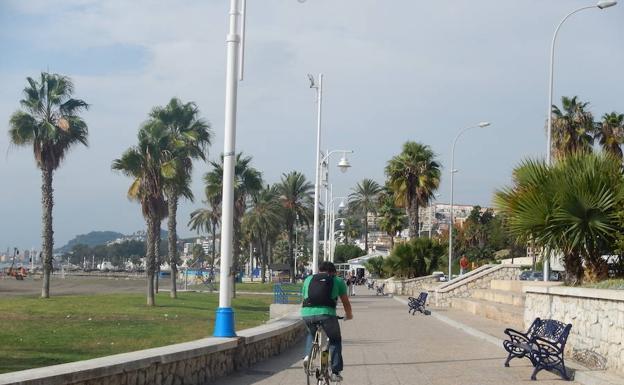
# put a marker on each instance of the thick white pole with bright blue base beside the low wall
(224, 321)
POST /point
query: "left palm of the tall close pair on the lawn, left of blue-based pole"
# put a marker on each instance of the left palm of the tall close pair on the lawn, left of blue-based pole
(151, 165)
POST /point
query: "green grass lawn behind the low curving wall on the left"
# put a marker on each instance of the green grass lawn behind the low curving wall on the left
(37, 332)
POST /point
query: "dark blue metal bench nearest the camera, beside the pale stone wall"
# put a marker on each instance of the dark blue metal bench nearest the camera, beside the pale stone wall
(542, 344)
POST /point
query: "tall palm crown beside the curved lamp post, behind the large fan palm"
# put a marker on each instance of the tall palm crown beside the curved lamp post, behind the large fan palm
(572, 128)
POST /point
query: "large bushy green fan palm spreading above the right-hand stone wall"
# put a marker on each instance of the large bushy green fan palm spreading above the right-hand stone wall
(571, 207)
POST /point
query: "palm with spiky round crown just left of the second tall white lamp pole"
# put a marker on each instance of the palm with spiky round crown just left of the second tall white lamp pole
(297, 199)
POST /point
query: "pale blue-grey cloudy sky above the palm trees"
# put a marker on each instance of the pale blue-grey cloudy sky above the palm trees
(393, 71)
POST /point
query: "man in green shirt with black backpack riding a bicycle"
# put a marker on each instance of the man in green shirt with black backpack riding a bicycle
(320, 293)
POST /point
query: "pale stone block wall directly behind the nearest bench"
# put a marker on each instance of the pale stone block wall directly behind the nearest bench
(597, 318)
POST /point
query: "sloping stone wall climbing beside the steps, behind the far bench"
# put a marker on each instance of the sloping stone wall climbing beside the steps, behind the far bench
(478, 279)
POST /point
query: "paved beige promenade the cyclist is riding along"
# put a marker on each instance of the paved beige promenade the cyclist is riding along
(384, 345)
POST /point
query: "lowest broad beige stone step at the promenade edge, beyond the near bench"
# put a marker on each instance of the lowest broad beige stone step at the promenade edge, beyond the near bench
(508, 315)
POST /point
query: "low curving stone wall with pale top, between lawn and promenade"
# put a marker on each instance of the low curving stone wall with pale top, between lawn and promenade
(191, 363)
